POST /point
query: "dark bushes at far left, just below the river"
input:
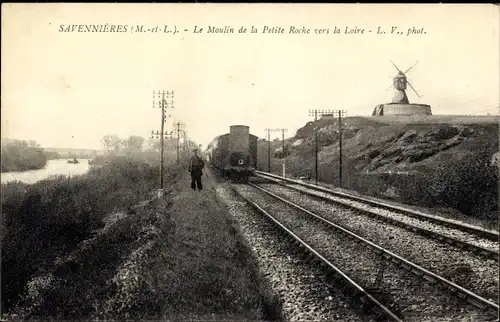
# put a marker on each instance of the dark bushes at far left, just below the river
(49, 218)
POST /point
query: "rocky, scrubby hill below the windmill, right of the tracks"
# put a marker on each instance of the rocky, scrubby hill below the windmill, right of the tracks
(430, 161)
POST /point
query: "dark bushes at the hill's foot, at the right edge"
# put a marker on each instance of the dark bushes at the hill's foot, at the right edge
(468, 184)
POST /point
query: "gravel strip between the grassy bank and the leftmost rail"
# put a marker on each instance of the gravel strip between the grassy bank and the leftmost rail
(301, 287)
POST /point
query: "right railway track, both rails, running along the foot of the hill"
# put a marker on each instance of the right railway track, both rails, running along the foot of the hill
(478, 240)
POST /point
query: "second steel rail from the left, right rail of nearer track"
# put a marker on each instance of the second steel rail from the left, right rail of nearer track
(473, 298)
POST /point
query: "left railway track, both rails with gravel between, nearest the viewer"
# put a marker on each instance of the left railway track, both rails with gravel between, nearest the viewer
(376, 262)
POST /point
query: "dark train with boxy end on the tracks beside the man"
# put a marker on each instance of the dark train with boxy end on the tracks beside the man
(234, 154)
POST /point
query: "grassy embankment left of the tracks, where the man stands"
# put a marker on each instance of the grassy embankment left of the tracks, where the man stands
(82, 248)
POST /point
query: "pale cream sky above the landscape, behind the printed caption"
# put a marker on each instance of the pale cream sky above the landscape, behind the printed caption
(69, 89)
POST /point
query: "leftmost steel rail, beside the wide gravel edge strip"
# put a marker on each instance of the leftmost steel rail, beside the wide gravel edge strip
(352, 283)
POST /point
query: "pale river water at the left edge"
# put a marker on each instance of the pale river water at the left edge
(53, 167)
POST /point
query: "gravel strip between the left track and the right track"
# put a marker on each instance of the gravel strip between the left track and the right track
(470, 271)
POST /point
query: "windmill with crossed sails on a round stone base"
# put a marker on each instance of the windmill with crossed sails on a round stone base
(400, 105)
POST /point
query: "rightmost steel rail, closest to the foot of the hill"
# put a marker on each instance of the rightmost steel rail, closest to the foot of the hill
(489, 234)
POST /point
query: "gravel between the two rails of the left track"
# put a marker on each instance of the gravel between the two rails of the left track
(402, 291)
